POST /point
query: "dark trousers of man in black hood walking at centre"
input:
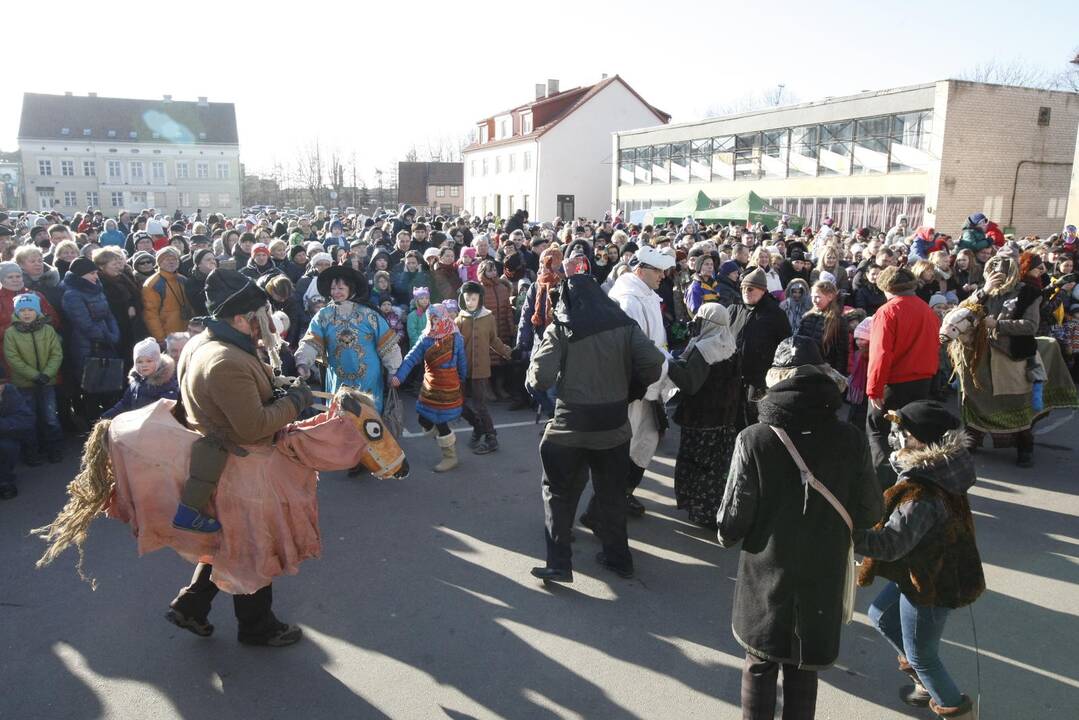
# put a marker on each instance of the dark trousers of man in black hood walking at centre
(566, 473)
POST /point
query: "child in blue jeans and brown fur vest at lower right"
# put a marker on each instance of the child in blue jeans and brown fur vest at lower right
(926, 549)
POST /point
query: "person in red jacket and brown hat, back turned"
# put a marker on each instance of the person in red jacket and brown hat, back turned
(905, 356)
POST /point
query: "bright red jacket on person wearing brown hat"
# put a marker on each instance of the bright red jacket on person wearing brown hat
(904, 346)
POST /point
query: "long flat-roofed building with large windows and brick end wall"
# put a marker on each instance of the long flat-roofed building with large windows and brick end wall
(937, 153)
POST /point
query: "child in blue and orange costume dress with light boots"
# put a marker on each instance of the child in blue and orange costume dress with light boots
(446, 369)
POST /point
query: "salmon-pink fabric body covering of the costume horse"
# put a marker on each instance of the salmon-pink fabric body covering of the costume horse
(266, 501)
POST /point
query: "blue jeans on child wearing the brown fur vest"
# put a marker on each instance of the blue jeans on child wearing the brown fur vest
(916, 632)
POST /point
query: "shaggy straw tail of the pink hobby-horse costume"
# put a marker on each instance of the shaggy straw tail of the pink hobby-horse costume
(88, 496)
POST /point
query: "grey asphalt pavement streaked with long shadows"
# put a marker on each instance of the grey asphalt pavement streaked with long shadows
(422, 607)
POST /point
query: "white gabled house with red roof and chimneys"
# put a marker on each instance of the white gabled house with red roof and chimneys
(553, 157)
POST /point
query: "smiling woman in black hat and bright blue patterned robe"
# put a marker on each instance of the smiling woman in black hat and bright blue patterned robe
(352, 338)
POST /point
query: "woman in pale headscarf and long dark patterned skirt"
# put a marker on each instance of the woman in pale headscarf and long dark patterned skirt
(708, 378)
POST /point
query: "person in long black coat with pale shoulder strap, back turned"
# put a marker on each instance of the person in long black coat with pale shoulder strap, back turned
(788, 607)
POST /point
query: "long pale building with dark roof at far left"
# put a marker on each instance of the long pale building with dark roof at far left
(119, 154)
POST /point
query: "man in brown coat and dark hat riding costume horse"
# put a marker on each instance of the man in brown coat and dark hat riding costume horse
(229, 398)
